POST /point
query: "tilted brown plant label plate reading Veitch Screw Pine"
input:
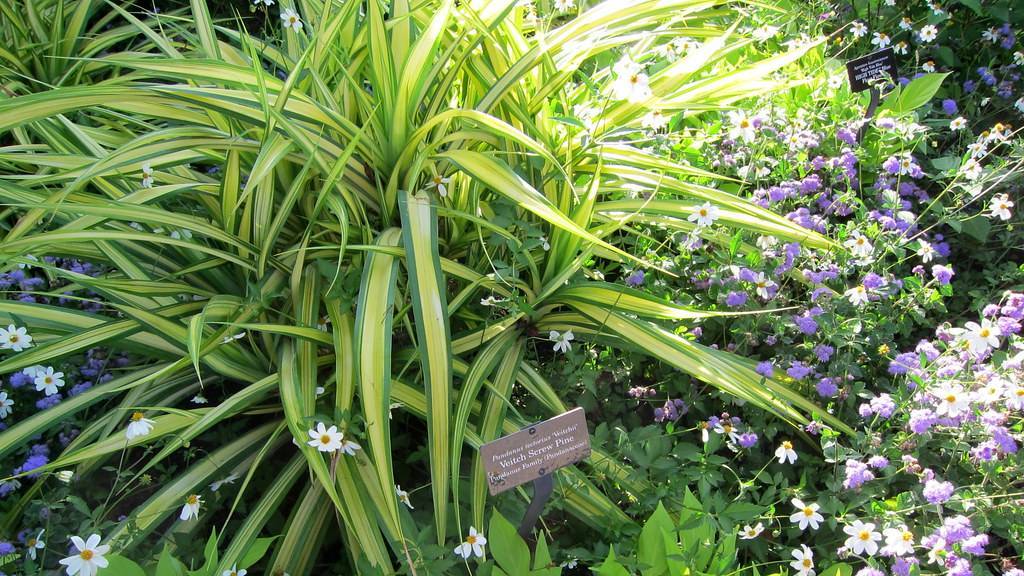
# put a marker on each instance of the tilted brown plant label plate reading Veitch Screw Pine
(536, 451)
